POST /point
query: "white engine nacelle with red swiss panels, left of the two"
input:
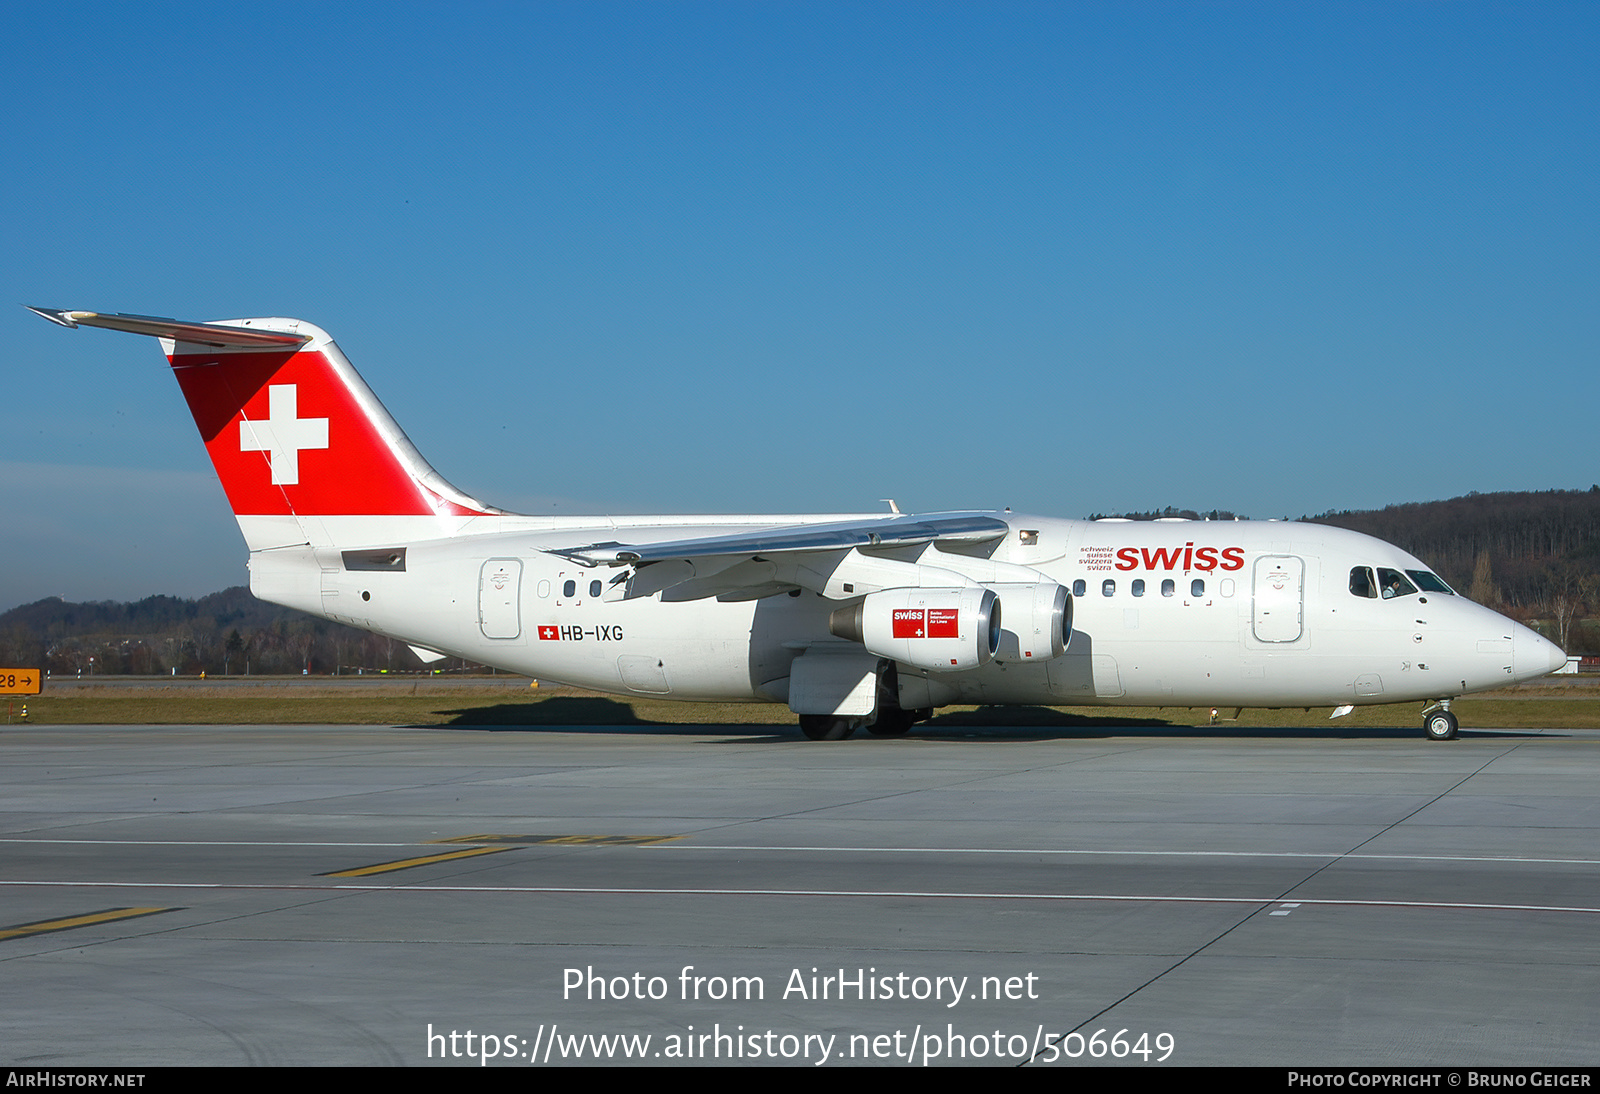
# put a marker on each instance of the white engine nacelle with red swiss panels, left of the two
(935, 629)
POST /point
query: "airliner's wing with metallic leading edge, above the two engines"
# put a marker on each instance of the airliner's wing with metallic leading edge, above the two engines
(830, 559)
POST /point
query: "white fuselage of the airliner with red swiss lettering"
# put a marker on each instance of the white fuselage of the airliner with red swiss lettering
(1276, 623)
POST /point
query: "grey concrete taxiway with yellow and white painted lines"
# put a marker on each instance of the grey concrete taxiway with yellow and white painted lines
(735, 893)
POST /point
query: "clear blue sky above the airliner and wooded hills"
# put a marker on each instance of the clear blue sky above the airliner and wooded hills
(1070, 258)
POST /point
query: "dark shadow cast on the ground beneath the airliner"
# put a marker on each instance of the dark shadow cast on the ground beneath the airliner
(601, 716)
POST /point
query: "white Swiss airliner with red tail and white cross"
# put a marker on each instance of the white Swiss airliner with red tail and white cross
(852, 621)
